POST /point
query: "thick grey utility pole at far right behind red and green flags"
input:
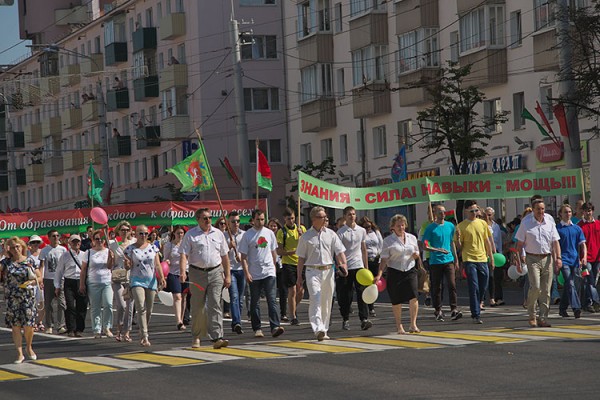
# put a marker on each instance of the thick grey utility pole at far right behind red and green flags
(566, 89)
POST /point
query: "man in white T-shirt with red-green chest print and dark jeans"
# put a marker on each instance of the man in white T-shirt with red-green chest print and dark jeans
(259, 255)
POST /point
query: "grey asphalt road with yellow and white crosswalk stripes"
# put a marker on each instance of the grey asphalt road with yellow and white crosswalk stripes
(454, 362)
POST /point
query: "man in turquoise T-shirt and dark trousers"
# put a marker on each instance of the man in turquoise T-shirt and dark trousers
(437, 238)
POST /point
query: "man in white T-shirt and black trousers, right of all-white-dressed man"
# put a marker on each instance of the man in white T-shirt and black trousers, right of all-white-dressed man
(353, 238)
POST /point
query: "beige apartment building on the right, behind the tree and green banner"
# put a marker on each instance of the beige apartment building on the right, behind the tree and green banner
(355, 64)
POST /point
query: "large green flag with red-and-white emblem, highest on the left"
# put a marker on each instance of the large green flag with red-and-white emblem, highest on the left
(194, 172)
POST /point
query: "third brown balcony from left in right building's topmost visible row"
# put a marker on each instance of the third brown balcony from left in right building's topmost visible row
(415, 14)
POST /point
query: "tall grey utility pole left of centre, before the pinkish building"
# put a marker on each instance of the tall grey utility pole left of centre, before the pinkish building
(241, 127)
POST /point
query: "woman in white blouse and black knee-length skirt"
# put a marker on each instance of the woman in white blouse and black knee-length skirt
(400, 252)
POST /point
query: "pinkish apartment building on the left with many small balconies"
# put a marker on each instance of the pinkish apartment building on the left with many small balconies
(163, 68)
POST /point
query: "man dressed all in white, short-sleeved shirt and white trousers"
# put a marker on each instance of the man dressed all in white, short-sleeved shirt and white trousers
(316, 250)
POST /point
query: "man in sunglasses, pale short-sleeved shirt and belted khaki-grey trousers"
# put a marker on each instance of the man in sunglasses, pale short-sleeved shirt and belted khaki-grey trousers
(204, 248)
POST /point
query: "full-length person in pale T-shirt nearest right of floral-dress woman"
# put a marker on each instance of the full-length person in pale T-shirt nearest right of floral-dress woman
(49, 256)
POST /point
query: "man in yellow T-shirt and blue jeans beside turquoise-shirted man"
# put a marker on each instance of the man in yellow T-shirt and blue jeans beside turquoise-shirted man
(473, 237)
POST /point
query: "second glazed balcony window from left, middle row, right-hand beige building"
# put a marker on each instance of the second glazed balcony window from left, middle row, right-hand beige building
(368, 64)
